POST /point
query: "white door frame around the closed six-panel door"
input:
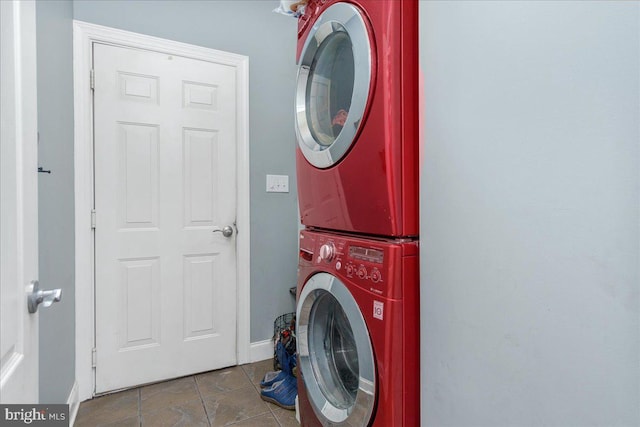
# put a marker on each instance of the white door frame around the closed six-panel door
(84, 35)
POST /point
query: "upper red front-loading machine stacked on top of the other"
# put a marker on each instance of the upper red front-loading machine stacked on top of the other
(357, 116)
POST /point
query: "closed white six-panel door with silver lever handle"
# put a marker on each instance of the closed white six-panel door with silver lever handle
(165, 181)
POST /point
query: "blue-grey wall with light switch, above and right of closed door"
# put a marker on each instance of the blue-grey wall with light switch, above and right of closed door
(248, 28)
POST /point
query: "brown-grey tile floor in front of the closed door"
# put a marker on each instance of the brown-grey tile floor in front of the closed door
(228, 397)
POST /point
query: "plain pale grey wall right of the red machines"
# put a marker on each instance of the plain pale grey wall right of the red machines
(530, 214)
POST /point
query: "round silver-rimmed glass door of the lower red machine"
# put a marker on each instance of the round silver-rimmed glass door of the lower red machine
(335, 353)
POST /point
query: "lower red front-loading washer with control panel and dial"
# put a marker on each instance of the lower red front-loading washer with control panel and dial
(358, 331)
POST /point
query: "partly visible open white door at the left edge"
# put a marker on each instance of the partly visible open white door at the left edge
(19, 201)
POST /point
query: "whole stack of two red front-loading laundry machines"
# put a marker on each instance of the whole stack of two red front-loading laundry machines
(357, 166)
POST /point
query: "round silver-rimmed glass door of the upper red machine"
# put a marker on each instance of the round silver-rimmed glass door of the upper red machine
(334, 76)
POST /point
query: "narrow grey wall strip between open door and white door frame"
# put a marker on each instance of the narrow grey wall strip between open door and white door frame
(55, 197)
